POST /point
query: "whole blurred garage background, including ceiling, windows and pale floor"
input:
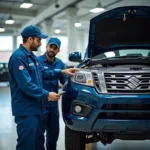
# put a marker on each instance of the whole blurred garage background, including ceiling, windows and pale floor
(66, 19)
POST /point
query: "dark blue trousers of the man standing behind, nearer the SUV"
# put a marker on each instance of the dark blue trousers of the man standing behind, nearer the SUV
(50, 124)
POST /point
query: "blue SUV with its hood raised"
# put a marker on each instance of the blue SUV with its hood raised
(109, 97)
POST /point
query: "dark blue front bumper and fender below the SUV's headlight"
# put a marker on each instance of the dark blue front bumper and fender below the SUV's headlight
(88, 95)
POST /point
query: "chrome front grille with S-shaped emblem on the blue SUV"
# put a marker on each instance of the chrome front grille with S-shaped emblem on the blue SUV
(123, 82)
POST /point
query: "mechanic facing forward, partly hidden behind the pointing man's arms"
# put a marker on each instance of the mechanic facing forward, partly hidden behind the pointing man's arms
(50, 117)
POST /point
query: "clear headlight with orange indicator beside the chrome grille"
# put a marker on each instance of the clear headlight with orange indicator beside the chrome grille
(83, 77)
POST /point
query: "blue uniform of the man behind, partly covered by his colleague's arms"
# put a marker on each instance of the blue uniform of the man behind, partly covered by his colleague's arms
(50, 117)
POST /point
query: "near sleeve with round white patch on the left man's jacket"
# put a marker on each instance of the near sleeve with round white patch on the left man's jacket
(18, 68)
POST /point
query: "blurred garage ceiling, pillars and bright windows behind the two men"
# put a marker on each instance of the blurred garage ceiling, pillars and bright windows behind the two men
(66, 19)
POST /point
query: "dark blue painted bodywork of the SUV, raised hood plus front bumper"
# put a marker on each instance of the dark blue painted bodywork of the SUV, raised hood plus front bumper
(88, 95)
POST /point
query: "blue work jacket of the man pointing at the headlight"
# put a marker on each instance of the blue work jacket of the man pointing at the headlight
(25, 77)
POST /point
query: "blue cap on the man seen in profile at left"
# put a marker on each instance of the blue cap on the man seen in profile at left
(32, 31)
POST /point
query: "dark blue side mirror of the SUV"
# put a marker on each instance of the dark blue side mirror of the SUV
(75, 57)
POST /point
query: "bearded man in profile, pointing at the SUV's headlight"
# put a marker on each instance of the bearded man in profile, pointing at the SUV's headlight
(25, 77)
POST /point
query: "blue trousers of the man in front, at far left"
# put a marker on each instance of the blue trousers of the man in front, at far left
(27, 131)
